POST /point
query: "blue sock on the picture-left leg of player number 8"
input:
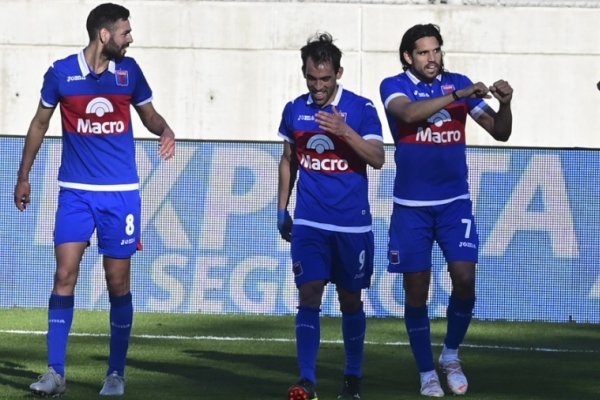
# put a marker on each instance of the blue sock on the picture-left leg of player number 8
(60, 318)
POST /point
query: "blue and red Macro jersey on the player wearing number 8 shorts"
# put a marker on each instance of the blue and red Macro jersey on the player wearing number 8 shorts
(98, 147)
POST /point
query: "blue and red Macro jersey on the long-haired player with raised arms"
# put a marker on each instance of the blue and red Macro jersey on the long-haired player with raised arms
(430, 156)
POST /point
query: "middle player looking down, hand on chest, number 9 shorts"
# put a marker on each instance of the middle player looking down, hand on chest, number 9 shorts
(330, 136)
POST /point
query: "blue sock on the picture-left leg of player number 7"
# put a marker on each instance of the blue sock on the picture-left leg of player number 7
(416, 320)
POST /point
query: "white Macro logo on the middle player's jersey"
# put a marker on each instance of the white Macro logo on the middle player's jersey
(322, 158)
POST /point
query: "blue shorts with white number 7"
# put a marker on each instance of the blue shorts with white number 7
(414, 229)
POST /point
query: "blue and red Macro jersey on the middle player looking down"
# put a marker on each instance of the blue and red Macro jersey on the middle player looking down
(332, 188)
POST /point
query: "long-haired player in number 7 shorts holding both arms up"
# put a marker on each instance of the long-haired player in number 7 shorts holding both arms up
(426, 107)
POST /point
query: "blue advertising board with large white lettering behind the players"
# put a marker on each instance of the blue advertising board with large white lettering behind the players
(211, 244)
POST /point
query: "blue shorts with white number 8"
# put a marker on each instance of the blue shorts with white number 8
(114, 215)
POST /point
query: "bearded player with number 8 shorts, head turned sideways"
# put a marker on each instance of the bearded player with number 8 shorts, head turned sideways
(98, 181)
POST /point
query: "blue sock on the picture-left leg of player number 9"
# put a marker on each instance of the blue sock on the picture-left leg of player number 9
(308, 337)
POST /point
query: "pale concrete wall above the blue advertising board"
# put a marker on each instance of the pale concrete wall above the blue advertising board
(224, 70)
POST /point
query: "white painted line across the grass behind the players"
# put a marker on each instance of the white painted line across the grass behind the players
(288, 340)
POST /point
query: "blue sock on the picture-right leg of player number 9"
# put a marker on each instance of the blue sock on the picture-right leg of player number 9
(354, 326)
